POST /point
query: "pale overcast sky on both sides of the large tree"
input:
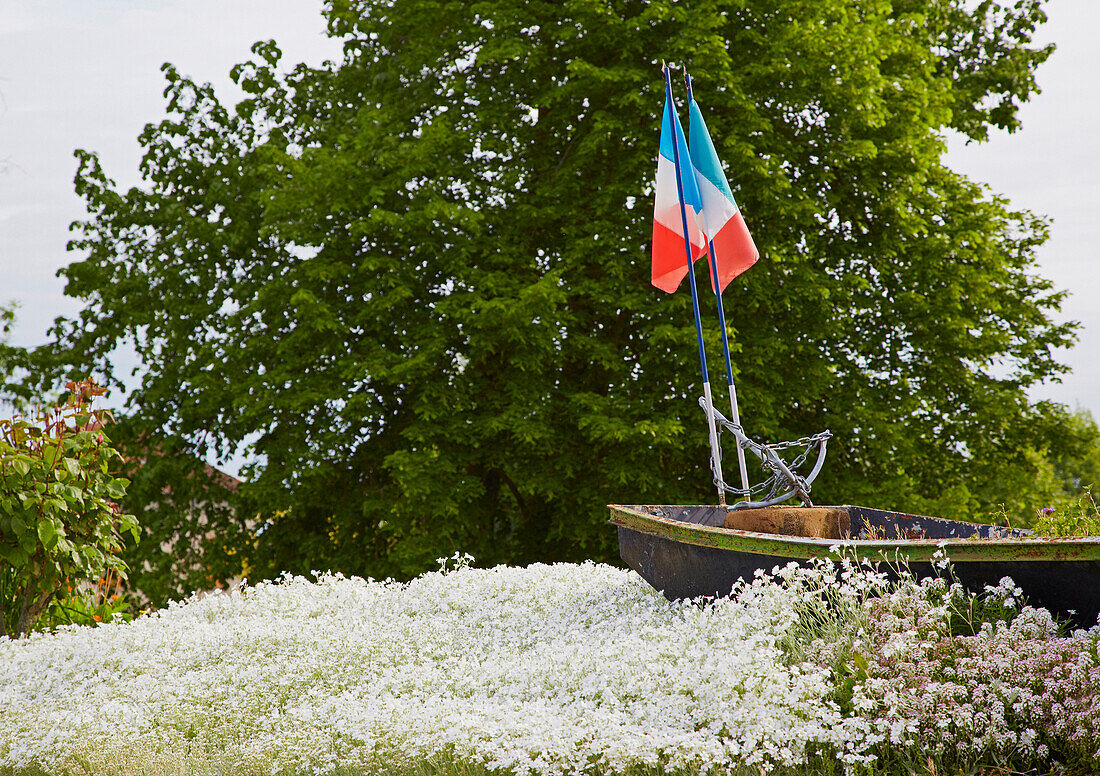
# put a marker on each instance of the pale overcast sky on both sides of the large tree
(79, 74)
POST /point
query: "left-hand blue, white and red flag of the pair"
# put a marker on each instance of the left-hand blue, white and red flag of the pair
(670, 260)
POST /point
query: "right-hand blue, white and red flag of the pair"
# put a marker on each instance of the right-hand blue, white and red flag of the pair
(734, 250)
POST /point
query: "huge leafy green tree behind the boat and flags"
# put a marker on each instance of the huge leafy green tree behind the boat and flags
(414, 283)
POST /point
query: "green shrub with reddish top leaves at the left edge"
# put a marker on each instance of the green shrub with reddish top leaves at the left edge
(60, 522)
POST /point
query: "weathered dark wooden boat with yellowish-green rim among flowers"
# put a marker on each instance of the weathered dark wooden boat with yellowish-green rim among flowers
(691, 552)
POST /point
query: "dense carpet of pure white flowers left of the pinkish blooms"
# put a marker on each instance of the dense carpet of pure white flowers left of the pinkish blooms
(544, 670)
